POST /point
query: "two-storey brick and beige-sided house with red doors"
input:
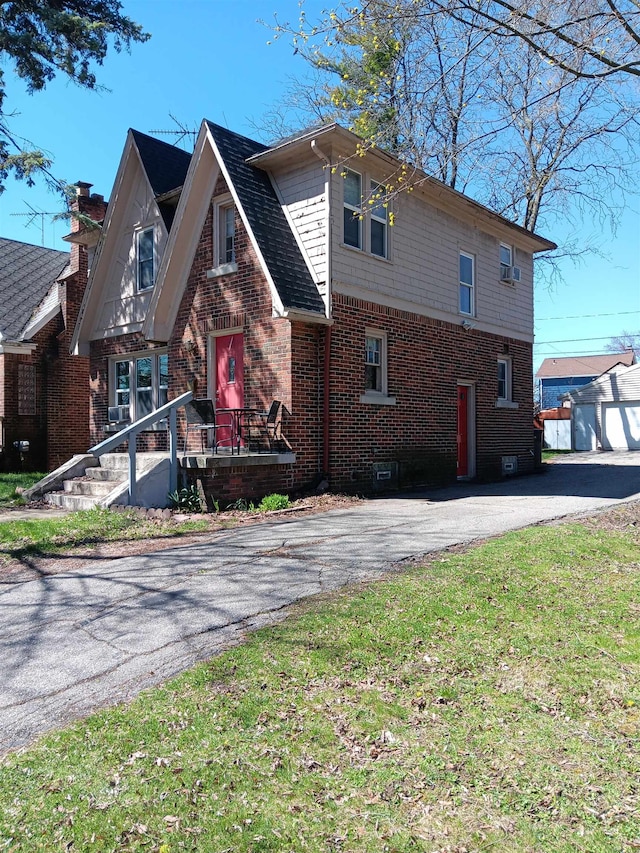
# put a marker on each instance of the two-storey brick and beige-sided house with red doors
(402, 351)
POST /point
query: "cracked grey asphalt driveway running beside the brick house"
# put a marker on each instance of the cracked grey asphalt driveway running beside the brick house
(73, 642)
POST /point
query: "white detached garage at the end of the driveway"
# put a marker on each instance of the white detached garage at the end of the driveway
(605, 414)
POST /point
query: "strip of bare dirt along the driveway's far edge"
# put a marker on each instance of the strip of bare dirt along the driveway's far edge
(38, 566)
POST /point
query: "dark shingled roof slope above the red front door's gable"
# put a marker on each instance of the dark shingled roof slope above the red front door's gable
(269, 225)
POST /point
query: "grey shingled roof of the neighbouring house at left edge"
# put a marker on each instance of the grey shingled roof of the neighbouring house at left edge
(26, 274)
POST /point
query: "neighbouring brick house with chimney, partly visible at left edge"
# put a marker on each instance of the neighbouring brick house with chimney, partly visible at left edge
(40, 382)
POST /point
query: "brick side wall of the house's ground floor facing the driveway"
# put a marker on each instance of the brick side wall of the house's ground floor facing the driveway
(426, 360)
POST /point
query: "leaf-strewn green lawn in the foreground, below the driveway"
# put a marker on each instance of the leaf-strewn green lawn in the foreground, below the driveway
(488, 701)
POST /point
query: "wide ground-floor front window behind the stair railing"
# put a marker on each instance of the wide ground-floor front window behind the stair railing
(141, 383)
